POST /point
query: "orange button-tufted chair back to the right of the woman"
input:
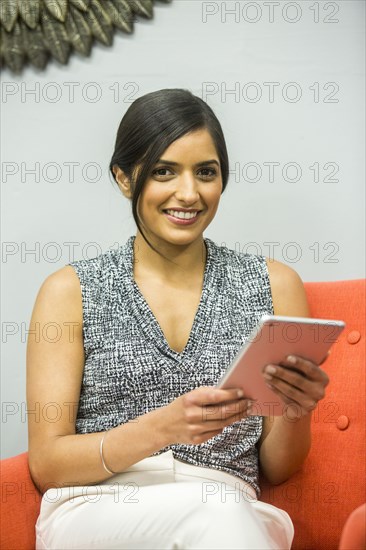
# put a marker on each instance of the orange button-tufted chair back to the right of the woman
(331, 483)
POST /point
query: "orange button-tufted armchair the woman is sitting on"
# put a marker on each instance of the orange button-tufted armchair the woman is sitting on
(331, 483)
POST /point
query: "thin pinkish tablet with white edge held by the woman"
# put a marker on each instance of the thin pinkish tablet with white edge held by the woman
(274, 338)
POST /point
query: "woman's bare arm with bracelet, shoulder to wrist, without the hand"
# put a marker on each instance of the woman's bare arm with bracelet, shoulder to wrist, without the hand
(54, 374)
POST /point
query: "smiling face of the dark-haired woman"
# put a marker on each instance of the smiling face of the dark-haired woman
(186, 177)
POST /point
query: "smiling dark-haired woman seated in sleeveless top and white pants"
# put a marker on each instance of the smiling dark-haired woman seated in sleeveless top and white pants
(140, 449)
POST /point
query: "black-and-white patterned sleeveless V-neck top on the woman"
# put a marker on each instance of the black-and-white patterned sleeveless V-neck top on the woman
(130, 368)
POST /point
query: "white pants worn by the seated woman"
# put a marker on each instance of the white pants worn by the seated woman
(162, 503)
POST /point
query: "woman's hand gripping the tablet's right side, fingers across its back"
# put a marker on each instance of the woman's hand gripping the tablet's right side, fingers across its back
(297, 381)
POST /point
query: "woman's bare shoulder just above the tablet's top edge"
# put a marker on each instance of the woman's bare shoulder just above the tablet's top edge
(287, 288)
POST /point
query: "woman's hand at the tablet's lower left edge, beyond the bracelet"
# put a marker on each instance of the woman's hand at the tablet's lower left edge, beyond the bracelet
(202, 413)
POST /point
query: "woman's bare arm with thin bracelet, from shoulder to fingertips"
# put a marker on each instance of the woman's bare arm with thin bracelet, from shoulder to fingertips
(60, 457)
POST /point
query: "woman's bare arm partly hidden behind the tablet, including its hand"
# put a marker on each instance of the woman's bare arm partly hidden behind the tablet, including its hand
(286, 440)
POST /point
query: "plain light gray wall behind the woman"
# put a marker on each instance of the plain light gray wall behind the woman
(308, 54)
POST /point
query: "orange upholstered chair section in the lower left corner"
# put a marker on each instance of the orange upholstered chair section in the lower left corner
(20, 504)
